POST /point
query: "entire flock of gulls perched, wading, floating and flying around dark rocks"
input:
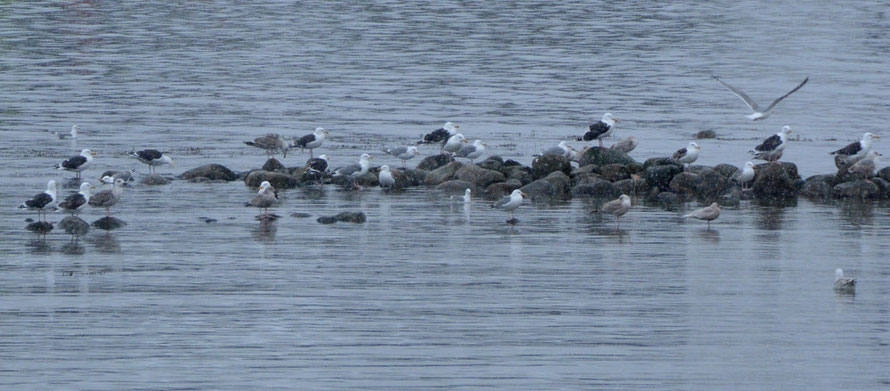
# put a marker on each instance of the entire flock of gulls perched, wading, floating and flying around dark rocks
(858, 157)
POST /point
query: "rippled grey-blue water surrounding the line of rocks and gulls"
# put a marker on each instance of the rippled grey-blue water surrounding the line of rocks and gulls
(427, 294)
